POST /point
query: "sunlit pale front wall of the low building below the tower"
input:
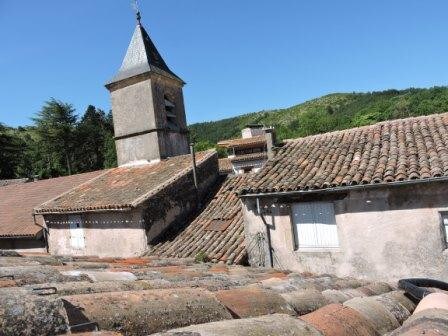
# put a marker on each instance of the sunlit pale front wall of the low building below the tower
(114, 234)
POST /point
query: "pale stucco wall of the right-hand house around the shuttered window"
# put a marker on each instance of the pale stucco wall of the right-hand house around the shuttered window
(386, 233)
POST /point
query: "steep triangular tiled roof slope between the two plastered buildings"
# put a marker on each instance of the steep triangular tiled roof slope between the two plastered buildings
(218, 231)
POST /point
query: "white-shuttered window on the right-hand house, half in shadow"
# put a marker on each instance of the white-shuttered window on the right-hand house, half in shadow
(314, 225)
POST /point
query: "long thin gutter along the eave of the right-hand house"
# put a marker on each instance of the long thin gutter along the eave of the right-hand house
(347, 188)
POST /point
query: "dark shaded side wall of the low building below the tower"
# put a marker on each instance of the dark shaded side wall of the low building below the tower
(178, 202)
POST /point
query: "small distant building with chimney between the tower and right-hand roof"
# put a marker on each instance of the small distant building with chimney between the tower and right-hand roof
(248, 153)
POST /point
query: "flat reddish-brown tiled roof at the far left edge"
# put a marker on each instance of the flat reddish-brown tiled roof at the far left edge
(18, 200)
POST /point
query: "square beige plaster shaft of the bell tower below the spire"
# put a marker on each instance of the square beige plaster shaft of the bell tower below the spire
(138, 106)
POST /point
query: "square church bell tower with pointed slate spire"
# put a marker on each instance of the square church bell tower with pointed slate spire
(147, 105)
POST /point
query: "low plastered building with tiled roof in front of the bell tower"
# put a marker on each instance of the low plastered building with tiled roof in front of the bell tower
(118, 213)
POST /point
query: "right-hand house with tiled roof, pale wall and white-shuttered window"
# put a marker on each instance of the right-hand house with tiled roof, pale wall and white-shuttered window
(367, 202)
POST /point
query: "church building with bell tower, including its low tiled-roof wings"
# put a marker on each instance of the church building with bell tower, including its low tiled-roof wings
(118, 212)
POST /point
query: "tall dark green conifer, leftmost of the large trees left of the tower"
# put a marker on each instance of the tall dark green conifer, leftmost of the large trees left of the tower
(55, 127)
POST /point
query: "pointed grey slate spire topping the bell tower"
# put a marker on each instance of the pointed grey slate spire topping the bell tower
(142, 57)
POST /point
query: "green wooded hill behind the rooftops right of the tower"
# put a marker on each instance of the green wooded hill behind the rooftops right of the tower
(328, 113)
